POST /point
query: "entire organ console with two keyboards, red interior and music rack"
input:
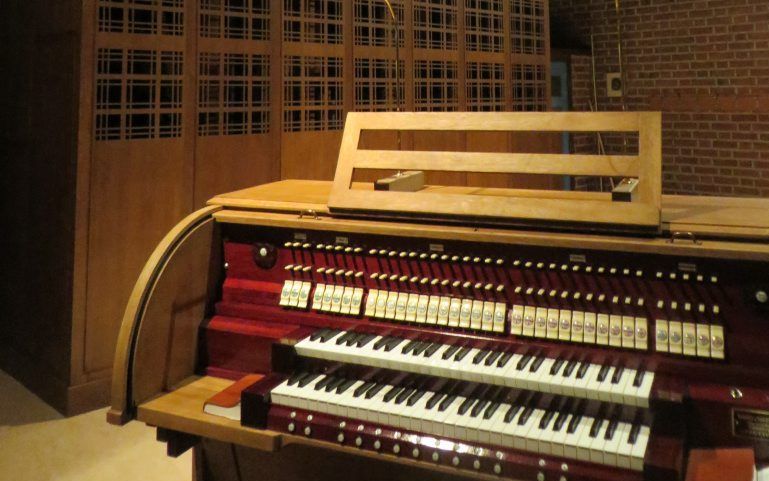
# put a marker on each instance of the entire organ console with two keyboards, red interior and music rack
(458, 331)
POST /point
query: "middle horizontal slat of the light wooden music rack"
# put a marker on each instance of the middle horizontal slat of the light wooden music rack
(480, 162)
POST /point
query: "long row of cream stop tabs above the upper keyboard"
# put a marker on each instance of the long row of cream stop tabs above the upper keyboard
(619, 331)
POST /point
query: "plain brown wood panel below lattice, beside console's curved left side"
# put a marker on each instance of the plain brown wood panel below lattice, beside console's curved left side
(138, 192)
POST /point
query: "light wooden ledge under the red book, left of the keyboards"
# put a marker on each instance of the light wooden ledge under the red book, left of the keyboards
(182, 410)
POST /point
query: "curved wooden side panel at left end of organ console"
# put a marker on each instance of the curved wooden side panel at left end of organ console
(157, 339)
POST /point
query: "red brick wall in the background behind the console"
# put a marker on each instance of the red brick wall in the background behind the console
(704, 64)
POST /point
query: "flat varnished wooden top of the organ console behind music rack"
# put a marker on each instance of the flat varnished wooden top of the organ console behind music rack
(707, 216)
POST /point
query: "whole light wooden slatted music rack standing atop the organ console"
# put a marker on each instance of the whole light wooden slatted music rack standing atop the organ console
(497, 204)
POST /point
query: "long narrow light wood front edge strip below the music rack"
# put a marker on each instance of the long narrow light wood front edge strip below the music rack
(578, 242)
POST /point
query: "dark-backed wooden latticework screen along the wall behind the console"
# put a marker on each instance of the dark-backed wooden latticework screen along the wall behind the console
(289, 70)
